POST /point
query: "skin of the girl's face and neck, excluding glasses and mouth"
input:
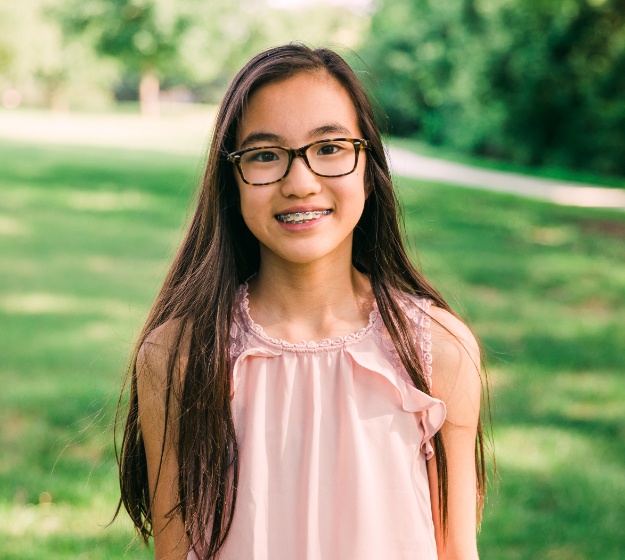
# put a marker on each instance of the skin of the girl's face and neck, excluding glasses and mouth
(307, 270)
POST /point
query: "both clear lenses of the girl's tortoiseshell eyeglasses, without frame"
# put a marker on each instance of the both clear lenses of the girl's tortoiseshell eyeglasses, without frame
(268, 165)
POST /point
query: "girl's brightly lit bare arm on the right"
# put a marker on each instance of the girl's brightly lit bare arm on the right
(456, 381)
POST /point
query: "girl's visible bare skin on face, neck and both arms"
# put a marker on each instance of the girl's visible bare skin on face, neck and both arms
(307, 289)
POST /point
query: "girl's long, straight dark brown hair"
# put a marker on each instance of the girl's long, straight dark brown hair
(218, 254)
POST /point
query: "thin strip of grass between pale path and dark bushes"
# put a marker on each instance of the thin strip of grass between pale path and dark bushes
(546, 172)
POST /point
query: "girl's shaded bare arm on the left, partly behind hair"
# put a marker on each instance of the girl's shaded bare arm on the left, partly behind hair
(170, 539)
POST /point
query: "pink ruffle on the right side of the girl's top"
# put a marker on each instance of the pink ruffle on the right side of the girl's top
(433, 411)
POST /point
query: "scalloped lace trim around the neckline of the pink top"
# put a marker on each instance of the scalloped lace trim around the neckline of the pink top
(304, 345)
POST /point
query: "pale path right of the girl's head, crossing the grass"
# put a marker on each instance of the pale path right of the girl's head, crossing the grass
(408, 164)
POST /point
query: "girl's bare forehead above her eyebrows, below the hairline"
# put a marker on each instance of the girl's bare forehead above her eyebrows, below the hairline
(292, 108)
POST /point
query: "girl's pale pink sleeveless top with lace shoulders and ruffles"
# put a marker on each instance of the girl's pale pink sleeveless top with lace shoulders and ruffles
(333, 440)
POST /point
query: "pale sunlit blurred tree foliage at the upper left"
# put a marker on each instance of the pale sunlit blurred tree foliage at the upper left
(199, 45)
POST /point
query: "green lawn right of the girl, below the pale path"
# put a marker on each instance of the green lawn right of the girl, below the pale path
(544, 287)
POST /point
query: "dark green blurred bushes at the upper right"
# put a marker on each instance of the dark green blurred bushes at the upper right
(539, 83)
